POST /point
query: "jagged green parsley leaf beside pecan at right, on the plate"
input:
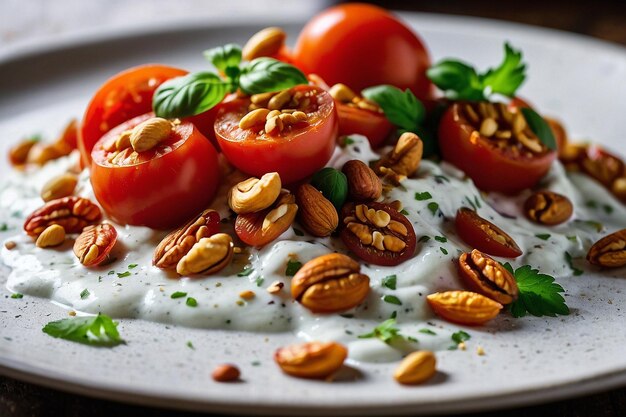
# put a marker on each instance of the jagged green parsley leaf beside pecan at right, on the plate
(539, 295)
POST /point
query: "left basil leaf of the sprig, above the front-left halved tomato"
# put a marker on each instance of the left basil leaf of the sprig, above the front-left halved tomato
(189, 95)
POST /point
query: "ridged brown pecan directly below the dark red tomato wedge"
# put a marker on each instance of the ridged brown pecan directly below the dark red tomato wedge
(488, 277)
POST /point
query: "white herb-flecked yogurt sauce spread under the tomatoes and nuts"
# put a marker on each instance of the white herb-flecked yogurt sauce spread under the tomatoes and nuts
(123, 290)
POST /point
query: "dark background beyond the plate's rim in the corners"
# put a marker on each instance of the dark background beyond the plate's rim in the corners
(602, 19)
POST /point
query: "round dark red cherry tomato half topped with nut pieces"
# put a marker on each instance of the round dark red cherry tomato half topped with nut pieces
(368, 252)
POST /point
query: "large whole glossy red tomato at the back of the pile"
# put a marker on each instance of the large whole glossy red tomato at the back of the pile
(361, 46)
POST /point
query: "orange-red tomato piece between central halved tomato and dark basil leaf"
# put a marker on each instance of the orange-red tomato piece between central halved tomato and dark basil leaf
(374, 126)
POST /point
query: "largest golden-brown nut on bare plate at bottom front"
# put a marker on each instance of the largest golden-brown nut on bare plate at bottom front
(314, 360)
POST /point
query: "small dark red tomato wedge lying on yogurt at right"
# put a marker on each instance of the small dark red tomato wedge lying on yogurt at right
(483, 235)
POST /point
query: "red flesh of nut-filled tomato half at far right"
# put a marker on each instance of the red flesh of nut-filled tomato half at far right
(492, 168)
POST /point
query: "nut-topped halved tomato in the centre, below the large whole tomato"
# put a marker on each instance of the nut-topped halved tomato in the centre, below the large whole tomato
(295, 153)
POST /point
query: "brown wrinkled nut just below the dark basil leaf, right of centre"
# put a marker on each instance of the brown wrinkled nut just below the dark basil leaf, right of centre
(403, 160)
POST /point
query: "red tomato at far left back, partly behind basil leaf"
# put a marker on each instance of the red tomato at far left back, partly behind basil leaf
(120, 98)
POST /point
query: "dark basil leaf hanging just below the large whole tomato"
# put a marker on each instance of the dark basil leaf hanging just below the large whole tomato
(402, 109)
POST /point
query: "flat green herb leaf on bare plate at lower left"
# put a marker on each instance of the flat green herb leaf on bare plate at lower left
(98, 330)
